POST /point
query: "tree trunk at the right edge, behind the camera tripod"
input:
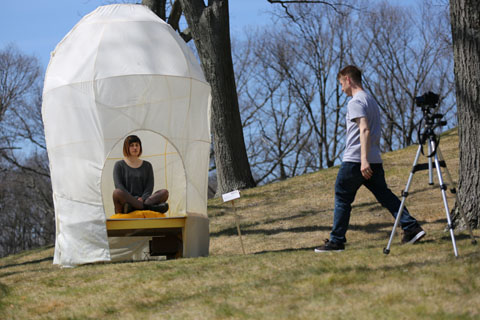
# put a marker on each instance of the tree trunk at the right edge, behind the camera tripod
(465, 20)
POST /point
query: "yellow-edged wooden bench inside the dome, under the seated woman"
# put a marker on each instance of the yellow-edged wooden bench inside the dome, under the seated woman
(168, 234)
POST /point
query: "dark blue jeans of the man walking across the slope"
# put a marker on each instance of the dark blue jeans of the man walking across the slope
(349, 180)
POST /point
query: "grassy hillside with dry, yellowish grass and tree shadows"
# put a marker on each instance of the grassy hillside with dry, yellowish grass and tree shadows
(280, 277)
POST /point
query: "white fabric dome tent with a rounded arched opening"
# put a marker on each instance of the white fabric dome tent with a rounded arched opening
(122, 70)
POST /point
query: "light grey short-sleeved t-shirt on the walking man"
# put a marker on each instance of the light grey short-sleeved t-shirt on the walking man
(362, 105)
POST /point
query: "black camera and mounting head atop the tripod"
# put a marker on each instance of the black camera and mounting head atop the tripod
(430, 121)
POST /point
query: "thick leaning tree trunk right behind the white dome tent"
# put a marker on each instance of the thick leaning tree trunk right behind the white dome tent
(211, 32)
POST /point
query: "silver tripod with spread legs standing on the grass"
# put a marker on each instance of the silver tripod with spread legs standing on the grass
(434, 151)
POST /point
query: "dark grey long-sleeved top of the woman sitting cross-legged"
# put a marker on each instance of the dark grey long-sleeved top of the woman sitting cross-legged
(136, 181)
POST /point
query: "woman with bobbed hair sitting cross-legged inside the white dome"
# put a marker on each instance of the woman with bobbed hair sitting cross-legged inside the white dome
(133, 178)
